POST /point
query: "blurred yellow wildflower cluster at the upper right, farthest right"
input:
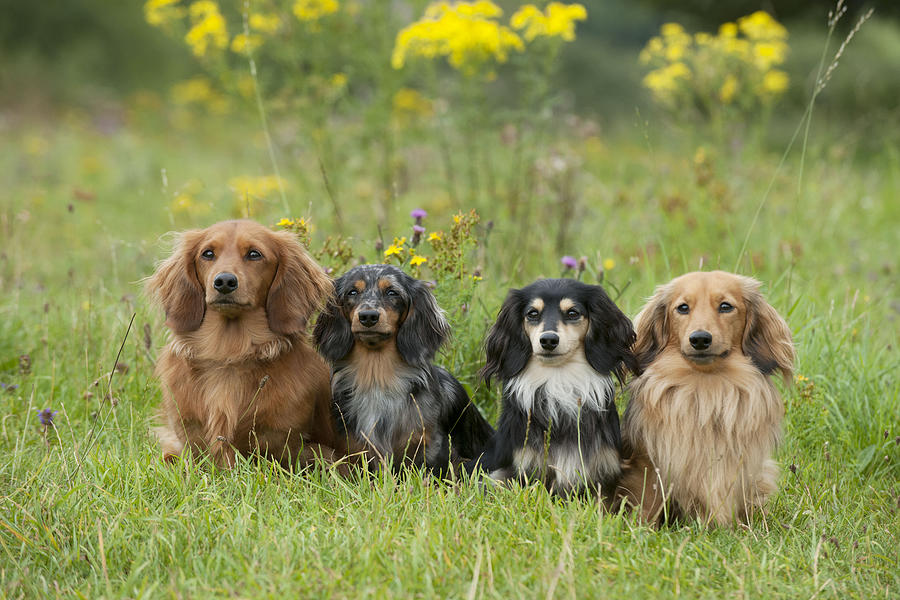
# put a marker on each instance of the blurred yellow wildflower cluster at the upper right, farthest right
(734, 68)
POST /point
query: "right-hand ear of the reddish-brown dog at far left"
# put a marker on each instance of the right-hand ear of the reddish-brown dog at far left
(298, 289)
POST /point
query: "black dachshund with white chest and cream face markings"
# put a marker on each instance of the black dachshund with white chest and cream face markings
(556, 345)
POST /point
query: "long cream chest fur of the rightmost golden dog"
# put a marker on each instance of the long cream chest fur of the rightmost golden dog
(711, 435)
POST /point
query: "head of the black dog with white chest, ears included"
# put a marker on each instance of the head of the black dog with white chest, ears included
(554, 319)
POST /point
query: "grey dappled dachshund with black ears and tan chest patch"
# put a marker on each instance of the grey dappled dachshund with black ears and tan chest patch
(380, 331)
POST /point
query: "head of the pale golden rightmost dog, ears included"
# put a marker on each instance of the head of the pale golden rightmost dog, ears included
(708, 316)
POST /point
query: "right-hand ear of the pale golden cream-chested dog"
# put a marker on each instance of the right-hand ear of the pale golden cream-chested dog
(767, 338)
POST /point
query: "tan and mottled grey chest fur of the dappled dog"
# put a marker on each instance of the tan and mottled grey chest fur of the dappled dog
(382, 401)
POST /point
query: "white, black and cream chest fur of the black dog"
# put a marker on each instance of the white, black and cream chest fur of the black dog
(567, 445)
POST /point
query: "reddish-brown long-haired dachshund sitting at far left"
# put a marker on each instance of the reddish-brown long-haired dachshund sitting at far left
(238, 374)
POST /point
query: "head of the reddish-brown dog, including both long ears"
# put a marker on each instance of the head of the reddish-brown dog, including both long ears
(234, 267)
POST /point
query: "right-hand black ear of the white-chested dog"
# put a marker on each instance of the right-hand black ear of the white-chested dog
(608, 343)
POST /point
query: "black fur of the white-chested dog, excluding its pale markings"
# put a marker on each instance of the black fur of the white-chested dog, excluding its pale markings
(592, 433)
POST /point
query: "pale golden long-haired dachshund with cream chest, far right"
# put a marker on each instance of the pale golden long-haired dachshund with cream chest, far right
(704, 418)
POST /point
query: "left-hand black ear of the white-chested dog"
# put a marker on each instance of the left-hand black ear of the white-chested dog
(507, 347)
